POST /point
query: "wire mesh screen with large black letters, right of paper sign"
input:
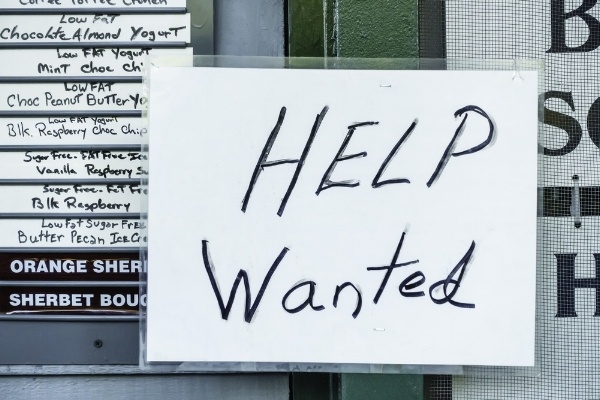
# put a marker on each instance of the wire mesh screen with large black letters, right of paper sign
(566, 34)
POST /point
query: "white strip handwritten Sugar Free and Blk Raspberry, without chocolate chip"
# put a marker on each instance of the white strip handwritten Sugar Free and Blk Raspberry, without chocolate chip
(92, 199)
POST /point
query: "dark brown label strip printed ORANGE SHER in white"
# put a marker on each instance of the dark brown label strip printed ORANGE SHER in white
(71, 266)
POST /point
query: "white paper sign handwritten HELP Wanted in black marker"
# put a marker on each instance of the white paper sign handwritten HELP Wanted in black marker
(384, 217)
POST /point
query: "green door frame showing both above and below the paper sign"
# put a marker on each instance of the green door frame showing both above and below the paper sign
(368, 29)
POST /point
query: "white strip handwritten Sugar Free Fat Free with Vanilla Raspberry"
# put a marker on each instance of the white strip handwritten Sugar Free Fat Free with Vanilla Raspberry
(88, 164)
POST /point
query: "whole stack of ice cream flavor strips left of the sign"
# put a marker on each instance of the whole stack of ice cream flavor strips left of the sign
(70, 136)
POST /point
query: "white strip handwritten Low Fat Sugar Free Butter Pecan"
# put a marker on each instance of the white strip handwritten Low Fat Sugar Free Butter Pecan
(72, 232)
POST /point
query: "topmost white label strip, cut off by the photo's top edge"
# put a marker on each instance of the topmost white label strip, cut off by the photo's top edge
(91, 4)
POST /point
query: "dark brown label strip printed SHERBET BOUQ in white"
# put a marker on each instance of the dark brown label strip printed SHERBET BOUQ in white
(15, 300)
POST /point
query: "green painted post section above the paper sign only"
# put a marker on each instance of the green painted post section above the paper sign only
(353, 28)
